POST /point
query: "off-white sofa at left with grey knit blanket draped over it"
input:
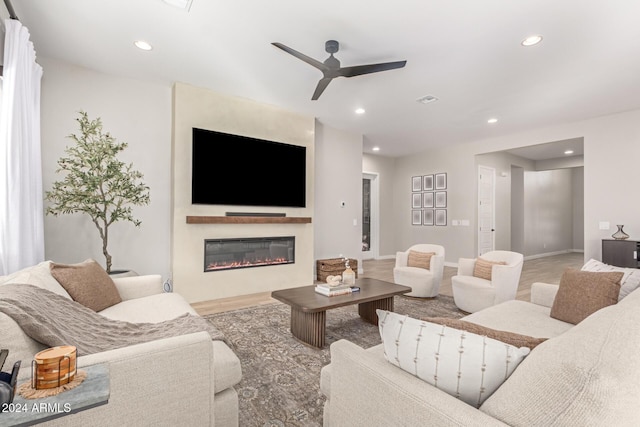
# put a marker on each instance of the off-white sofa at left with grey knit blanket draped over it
(183, 380)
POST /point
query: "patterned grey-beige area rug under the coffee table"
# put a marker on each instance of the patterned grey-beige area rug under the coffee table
(281, 376)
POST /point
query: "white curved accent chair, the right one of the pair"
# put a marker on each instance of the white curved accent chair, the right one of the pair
(473, 294)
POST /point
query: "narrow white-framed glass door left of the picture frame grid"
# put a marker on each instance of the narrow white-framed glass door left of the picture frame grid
(370, 216)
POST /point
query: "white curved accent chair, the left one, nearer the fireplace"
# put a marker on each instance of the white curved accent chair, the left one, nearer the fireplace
(424, 283)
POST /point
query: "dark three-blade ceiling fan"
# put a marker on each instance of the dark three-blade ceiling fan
(331, 66)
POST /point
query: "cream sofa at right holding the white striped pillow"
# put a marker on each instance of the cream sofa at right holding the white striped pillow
(587, 374)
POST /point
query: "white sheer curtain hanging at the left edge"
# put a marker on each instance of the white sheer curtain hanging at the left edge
(21, 206)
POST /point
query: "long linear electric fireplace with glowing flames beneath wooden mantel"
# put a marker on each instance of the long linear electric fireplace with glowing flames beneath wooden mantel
(225, 254)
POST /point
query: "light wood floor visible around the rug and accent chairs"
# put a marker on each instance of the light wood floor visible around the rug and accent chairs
(547, 269)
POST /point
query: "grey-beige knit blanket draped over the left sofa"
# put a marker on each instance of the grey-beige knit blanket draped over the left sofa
(54, 320)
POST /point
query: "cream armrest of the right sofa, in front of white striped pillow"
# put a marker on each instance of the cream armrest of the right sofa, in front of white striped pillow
(366, 390)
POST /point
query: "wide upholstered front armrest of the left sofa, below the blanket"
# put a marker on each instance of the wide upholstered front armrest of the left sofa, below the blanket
(154, 383)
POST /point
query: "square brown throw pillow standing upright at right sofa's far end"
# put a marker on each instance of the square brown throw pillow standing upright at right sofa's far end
(582, 293)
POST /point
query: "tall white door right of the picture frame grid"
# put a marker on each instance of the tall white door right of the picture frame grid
(486, 208)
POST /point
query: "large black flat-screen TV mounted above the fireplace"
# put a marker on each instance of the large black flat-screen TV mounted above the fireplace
(237, 170)
